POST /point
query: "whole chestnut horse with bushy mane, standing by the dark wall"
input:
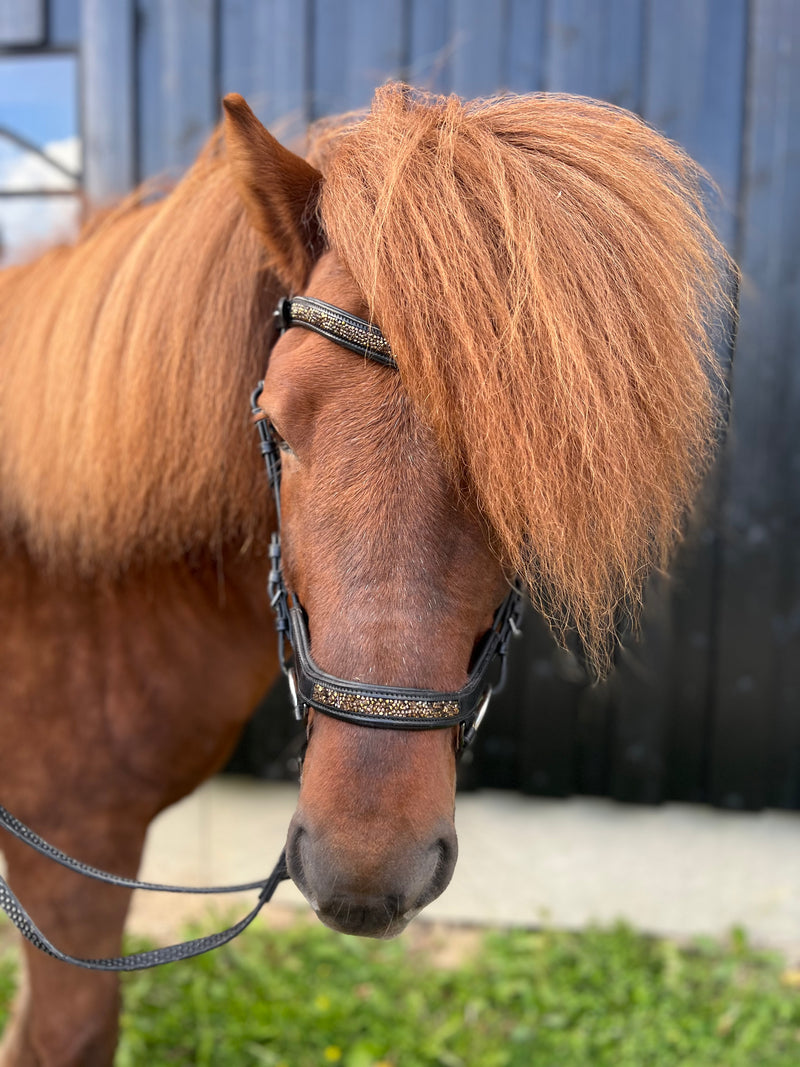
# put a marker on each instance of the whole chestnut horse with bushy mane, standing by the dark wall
(547, 277)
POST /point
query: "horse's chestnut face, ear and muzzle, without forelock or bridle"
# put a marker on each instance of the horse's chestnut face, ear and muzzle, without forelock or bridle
(391, 563)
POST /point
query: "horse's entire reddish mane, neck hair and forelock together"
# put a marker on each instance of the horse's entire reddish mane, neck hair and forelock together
(543, 268)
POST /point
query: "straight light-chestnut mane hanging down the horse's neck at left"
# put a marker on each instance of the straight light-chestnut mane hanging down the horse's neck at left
(127, 362)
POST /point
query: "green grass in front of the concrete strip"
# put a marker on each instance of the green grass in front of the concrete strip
(603, 998)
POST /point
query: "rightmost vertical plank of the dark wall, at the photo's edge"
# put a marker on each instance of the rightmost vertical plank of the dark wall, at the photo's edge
(756, 731)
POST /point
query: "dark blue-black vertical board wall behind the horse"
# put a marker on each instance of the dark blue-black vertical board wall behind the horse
(708, 706)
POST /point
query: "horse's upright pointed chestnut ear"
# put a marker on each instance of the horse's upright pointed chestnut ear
(280, 192)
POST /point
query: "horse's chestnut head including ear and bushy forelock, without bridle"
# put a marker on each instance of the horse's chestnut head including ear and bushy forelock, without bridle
(530, 431)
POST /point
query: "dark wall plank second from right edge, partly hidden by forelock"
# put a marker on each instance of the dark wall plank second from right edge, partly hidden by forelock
(694, 91)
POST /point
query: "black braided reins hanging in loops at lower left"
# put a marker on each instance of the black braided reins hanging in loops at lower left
(137, 961)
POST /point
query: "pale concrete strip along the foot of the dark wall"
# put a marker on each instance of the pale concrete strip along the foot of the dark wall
(676, 870)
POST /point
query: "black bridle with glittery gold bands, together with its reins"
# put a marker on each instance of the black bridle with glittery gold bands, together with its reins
(388, 707)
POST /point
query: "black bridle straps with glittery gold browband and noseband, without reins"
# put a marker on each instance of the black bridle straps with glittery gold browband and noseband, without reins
(377, 706)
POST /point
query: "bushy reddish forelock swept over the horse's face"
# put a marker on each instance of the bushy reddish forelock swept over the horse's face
(545, 269)
